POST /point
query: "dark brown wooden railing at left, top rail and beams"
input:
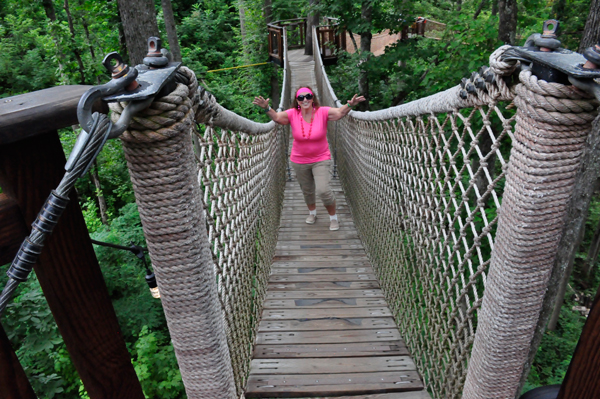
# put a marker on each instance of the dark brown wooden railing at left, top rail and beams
(31, 165)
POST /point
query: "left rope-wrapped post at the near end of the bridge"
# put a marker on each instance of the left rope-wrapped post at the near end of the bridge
(159, 155)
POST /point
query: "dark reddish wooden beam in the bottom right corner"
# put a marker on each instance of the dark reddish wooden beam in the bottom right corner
(582, 380)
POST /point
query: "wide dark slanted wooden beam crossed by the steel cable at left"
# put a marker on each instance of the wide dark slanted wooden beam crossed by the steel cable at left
(68, 271)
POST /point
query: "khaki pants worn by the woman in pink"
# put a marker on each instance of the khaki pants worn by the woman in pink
(314, 181)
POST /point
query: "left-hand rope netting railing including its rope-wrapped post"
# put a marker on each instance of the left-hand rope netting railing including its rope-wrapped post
(209, 187)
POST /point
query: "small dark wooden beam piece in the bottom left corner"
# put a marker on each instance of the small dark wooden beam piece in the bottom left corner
(13, 380)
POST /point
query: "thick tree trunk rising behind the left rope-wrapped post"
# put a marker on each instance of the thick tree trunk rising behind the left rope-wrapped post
(139, 23)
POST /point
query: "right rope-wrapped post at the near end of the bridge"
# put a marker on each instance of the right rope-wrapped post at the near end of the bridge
(553, 122)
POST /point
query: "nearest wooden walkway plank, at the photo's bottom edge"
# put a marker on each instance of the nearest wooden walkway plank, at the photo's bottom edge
(290, 386)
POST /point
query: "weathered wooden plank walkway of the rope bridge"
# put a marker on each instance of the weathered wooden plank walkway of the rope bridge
(326, 330)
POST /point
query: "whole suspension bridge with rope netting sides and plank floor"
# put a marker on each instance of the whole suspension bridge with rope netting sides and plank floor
(453, 212)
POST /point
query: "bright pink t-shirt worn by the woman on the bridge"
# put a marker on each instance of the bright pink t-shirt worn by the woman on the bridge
(313, 148)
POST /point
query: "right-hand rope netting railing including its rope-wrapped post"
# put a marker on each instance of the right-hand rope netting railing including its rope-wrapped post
(451, 189)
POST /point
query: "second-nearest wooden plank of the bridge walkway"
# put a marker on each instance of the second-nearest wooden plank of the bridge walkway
(332, 365)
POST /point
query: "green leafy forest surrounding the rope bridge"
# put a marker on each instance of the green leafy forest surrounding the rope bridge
(45, 43)
